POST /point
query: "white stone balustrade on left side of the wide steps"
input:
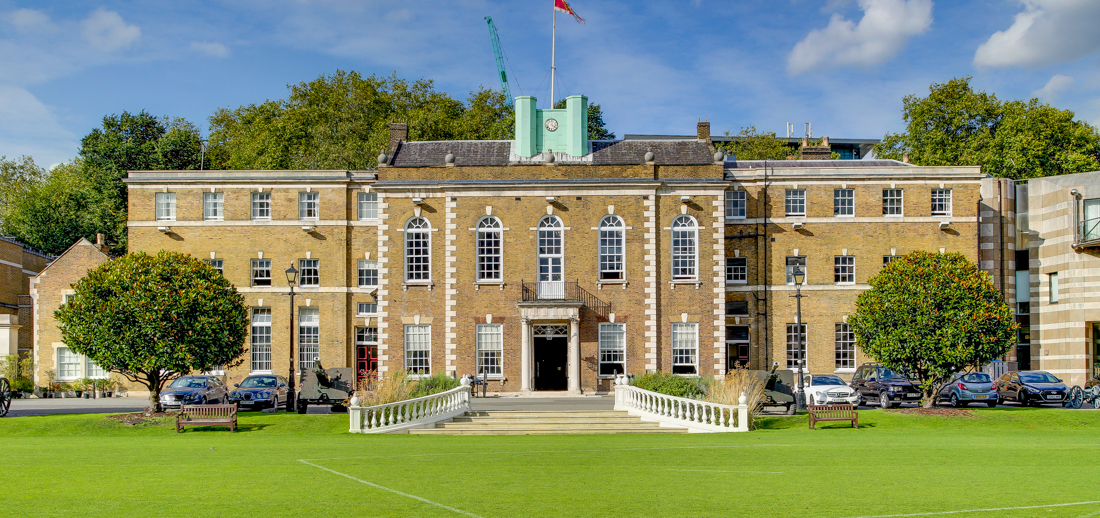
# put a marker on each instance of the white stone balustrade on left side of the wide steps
(417, 413)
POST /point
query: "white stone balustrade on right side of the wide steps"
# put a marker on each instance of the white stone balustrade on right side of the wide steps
(697, 416)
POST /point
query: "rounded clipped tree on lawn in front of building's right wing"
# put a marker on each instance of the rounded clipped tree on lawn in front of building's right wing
(930, 316)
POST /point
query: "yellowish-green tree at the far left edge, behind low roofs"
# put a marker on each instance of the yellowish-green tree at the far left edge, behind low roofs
(52, 212)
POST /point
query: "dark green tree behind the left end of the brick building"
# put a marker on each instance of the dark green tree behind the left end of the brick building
(133, 142)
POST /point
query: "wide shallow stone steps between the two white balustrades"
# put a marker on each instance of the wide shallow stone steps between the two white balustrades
(515, 423)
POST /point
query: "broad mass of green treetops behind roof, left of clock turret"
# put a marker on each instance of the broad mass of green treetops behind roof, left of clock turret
(343, 123)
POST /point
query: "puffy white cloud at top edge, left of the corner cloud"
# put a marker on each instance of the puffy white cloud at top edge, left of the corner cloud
(881, 35)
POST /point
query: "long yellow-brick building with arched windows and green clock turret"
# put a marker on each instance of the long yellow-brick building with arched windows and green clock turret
(549, 262)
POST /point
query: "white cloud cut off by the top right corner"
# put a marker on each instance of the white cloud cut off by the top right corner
(1048, 31)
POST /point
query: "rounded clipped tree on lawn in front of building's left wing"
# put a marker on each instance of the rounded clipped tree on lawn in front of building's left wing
(153, 318)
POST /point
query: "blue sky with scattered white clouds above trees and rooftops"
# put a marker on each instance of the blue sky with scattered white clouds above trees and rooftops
(656, 67)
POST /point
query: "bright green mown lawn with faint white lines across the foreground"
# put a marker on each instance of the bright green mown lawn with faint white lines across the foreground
(895, 465)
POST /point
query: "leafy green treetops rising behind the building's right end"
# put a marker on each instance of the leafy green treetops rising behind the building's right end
(958, 126)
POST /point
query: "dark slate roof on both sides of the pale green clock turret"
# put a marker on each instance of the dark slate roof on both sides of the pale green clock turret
(497, 153)
